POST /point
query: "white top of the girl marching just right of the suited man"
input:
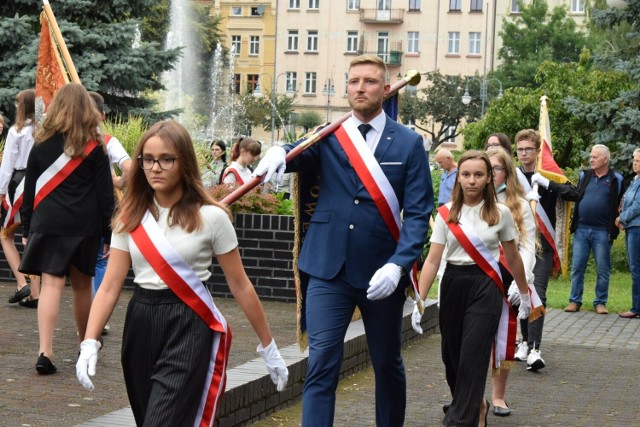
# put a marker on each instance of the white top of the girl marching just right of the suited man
(491, 236)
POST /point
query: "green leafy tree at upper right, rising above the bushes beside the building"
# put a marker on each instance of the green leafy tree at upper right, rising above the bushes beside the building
(535, 36)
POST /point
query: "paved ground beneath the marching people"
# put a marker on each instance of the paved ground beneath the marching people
(591, 378)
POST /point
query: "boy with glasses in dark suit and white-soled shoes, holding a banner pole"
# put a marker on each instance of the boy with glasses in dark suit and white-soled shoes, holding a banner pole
(528, 145)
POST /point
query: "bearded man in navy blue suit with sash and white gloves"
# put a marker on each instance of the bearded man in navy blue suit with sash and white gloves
(367, 231)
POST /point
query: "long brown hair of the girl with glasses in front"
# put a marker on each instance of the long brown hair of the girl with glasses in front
(139, 195)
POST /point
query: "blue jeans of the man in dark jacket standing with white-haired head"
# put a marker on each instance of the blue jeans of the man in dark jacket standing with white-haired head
(586, 240)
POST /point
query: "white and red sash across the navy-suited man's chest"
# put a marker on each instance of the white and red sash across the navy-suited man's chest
(376, 183)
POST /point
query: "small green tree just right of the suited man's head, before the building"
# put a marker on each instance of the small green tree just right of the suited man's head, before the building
(437, 109)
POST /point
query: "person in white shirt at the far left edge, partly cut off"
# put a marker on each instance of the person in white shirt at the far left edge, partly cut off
(12, 172)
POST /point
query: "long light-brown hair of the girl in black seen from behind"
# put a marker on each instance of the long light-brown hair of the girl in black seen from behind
(73, 114)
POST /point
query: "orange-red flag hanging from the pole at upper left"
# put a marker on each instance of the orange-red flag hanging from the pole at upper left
(50, 74)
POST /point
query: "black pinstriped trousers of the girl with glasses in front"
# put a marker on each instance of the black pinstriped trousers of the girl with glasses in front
(166, 349)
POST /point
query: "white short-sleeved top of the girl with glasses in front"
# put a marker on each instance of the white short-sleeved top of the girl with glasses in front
(215, 237)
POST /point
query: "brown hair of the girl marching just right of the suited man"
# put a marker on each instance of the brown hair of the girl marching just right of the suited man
(489, 212)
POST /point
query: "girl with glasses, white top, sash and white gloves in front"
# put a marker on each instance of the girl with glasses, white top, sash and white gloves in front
(175, 342)
